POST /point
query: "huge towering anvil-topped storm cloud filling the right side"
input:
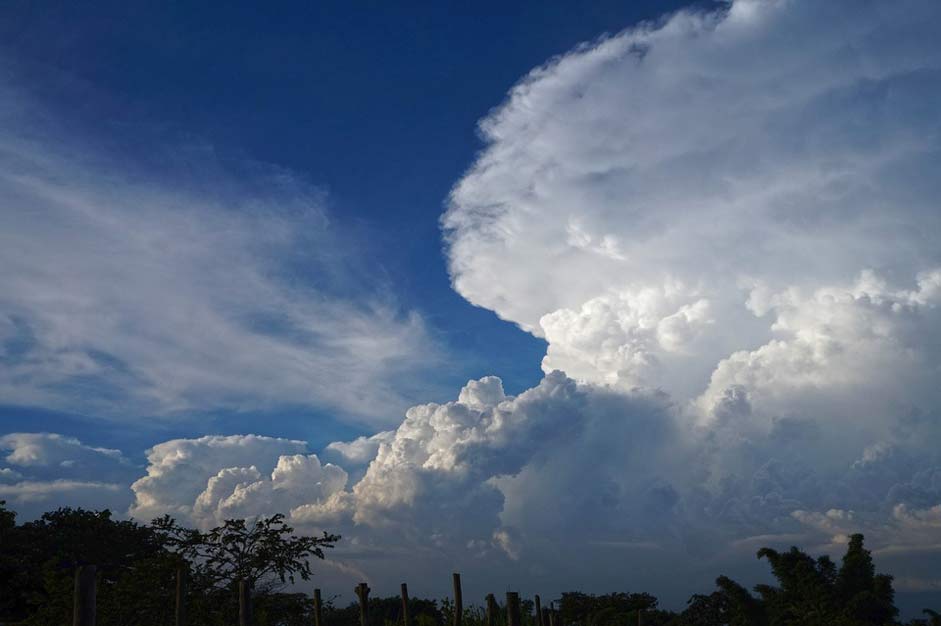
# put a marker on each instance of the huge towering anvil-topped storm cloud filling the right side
(737, 208)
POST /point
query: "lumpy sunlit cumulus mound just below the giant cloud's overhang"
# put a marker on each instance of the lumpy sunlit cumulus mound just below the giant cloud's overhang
(452, 450)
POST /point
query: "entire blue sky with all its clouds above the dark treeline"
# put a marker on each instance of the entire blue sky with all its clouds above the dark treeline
(597, 297)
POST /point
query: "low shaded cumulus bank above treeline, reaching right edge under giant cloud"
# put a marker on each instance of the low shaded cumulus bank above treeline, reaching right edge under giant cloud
(563, 474)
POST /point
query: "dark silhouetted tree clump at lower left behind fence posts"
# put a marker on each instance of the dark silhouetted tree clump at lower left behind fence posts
(138, 564)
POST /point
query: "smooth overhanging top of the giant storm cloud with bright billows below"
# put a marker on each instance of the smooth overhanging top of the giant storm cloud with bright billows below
(637, 194)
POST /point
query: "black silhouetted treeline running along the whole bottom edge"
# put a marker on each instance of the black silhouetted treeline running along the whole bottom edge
(138, 565)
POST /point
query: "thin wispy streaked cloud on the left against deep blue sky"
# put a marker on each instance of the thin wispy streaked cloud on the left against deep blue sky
(182, 283)
